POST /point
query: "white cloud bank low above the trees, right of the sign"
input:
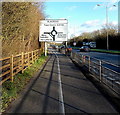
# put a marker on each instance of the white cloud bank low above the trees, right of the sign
(88, 26)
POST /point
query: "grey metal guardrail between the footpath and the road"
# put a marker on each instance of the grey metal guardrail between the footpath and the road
(100, 71)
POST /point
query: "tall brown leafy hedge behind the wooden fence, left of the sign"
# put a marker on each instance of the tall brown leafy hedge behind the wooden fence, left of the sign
(20, 27)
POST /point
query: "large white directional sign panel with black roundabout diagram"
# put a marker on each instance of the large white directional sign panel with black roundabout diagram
(53, 30)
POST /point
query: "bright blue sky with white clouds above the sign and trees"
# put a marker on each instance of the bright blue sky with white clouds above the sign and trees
(82, 16)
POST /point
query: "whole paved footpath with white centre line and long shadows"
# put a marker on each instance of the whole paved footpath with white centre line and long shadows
(61, 88)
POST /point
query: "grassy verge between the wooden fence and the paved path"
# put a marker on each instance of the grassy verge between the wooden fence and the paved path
(10, 90)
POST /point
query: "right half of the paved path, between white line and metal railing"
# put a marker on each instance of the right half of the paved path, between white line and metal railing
(80, 96)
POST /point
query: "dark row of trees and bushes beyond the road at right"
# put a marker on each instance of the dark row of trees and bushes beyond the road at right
(100, 37)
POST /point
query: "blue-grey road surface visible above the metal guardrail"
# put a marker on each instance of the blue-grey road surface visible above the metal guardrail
(112, 58)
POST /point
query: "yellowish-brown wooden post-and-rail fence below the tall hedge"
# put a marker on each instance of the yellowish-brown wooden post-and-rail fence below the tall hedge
(18, 63)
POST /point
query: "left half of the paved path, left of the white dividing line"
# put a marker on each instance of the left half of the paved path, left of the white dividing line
(42, 95)
